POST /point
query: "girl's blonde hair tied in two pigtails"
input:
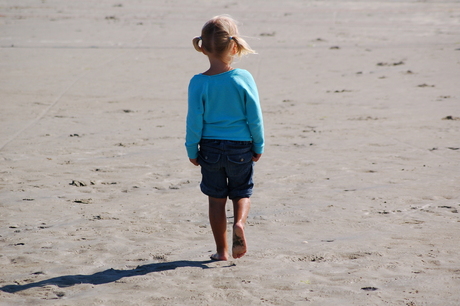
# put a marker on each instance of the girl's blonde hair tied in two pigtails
(218, 36)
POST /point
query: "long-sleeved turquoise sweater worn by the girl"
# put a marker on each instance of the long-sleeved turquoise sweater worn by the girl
(224, 106)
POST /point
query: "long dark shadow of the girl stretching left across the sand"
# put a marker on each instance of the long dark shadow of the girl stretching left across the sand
(107, 276)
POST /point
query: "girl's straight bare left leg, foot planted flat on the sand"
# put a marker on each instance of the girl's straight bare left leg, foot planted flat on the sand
(218, 220)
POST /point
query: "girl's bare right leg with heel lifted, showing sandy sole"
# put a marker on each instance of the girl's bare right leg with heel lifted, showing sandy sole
(241, 210)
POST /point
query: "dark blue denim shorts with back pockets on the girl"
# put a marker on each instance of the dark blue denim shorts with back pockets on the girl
(226, 168)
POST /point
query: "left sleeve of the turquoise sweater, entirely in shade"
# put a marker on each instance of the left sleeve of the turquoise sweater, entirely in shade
(195, 113)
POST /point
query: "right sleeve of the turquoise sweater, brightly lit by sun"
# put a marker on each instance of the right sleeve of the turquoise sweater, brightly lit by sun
(254, 116)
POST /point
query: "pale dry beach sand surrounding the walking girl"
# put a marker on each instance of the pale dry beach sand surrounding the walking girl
(357, 195)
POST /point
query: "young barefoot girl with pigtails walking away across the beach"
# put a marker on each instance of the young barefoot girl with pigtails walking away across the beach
(225, 133)
